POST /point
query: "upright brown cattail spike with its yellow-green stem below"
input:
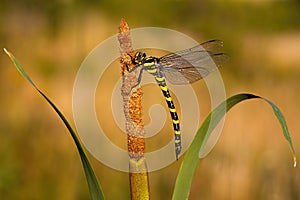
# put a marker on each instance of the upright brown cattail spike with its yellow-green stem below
(138, 173)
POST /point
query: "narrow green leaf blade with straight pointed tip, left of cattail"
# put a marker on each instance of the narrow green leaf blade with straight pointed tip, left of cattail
(94, 188)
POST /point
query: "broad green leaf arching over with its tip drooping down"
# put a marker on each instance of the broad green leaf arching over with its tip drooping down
(191, 159)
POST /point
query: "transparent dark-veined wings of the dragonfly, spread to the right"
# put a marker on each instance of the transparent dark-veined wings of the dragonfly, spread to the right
(193, 64)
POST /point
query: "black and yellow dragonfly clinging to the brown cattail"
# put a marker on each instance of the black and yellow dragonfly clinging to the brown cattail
(179, 68)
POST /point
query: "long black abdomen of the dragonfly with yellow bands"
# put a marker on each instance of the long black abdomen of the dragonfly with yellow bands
(160, 79)
